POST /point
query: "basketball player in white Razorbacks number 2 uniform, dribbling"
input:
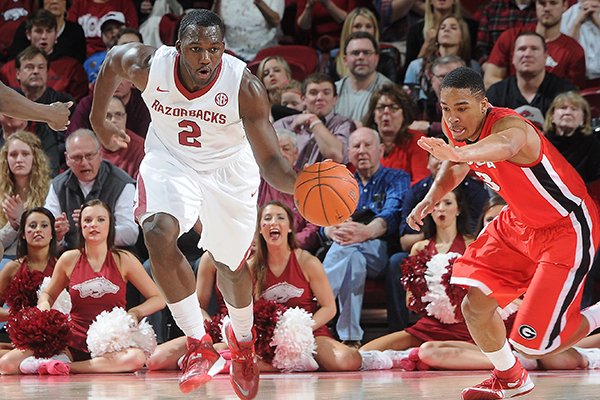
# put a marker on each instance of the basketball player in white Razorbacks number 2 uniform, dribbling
(210, 127)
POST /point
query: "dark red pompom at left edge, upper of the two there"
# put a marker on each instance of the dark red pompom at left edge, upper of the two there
(22, 289)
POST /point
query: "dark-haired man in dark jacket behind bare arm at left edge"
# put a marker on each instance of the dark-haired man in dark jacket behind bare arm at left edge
(32, 74)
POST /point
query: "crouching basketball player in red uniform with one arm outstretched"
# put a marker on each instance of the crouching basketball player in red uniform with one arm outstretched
(543, 243)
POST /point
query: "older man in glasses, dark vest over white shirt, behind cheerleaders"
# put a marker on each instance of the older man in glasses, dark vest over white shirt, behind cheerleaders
(89, 177)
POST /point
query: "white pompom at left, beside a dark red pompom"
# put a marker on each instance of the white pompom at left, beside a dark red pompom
(116, 331)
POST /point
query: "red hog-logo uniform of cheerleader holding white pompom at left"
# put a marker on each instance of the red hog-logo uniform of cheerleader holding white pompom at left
(91, 293)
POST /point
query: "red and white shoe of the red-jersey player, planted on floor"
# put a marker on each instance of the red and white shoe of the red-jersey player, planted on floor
(495, 388)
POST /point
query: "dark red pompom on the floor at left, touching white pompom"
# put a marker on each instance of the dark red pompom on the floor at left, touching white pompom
(43, 332)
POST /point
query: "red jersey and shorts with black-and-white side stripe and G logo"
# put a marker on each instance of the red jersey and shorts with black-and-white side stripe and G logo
(544, 243)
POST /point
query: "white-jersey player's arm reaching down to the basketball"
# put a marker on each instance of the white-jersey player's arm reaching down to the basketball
(255, 110)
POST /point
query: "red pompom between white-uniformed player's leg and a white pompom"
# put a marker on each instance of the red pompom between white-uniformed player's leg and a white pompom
(266, 315)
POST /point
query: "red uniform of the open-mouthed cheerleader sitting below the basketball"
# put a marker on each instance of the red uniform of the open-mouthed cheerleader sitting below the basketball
(293, 290)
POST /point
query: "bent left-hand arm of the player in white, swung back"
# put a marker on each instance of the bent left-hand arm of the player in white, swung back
(130, 61)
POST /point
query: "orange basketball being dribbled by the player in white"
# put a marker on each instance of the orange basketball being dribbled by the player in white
(326, 193)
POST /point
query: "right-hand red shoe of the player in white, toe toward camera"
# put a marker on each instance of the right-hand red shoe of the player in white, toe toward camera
(244, 373)
